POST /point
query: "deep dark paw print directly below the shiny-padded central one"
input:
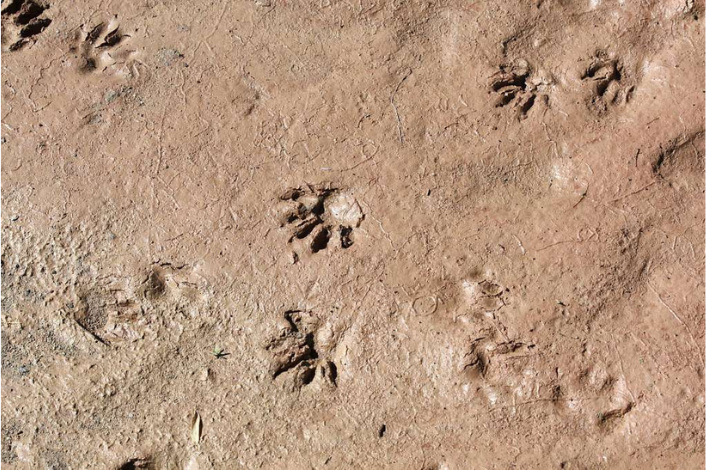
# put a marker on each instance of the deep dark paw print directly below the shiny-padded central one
(294, 352)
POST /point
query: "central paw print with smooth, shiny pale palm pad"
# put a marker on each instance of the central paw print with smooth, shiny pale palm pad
(317, 215)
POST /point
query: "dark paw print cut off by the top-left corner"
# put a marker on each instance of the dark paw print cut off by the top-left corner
(22, 20)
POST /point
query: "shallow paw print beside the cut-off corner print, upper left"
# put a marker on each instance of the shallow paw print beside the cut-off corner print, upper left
(102, 49)
